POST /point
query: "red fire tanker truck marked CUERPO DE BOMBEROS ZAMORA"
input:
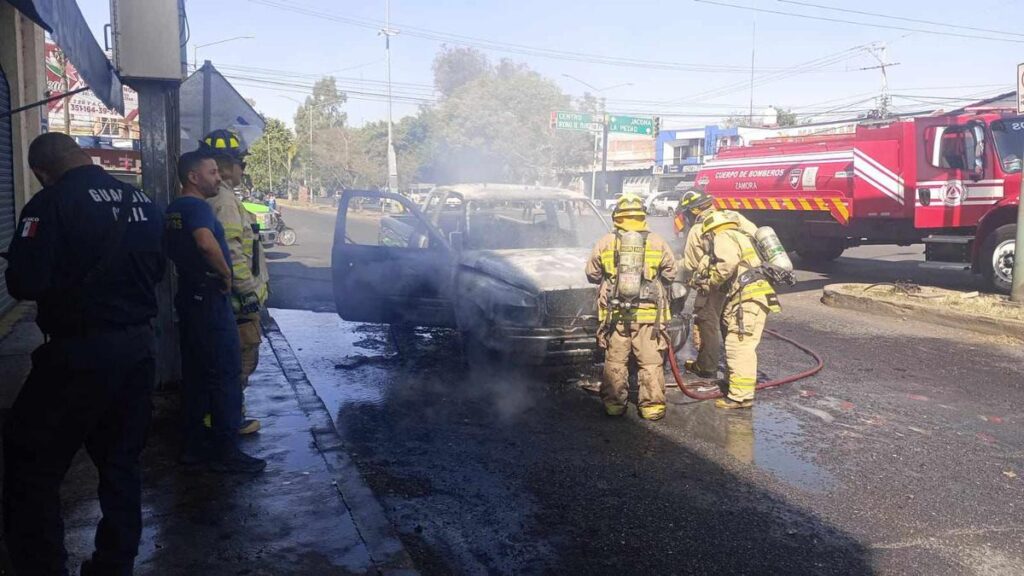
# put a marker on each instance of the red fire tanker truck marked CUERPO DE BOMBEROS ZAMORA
(952, 182)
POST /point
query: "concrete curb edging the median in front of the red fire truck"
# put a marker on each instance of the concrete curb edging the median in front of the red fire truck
(835, 296)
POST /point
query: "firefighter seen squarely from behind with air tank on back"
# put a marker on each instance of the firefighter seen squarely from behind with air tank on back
(633, 266)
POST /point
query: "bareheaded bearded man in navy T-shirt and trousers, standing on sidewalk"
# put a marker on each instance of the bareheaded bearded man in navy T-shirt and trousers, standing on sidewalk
(210, 350)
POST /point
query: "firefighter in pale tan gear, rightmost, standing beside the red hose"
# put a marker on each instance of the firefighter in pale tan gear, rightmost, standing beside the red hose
(732, 266)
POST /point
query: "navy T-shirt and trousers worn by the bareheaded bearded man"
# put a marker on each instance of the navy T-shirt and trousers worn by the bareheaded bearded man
(210, 348)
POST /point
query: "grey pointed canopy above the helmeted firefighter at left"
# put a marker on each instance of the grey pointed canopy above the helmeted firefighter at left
(228, 110)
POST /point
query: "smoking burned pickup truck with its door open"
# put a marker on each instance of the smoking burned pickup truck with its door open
(502, 264)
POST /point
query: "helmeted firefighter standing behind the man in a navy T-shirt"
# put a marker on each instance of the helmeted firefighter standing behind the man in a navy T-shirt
(249, 276)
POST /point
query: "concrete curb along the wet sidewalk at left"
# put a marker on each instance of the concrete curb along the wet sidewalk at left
(378, 534)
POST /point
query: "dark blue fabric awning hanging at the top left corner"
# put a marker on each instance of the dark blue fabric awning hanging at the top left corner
(64, 21)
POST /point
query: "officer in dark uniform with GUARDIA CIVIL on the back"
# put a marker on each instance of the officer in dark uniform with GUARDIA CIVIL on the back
(89, 252)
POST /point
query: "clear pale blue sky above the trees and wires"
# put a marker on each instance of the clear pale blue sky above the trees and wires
(685, 32)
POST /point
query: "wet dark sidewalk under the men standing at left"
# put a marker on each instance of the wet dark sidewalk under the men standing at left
(309, 514)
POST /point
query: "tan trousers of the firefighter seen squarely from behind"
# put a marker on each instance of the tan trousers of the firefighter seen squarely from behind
(648, 346)
